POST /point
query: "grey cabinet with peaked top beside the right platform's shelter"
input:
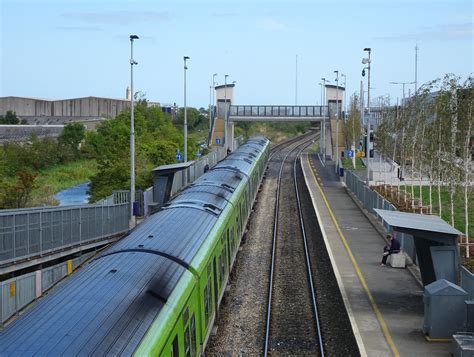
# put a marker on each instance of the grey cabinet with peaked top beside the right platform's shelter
(445, 309)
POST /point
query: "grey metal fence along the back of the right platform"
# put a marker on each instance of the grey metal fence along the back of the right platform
(371, 199)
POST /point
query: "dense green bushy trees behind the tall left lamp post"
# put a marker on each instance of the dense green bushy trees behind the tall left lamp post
(156, 143)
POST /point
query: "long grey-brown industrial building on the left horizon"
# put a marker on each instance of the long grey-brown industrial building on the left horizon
(86, 110)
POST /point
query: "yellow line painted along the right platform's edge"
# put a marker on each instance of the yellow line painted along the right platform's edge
(377, 312)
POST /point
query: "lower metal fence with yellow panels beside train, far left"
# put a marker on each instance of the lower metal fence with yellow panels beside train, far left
(18, 292)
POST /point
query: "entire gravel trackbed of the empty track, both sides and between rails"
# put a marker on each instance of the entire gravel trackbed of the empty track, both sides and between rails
(242, 315)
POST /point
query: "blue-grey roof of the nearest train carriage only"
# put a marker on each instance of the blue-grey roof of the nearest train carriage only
(106, 309)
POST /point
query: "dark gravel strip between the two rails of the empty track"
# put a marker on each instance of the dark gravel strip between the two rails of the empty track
(293, 328)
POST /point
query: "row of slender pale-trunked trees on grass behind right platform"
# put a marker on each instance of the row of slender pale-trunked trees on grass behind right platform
(430, 136)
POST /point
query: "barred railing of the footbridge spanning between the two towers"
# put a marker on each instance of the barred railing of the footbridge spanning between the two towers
(309, 111)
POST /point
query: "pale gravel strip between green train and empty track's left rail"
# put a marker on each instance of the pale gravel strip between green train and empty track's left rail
(241, 322)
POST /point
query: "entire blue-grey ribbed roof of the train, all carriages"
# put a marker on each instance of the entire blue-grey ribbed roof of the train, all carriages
(107, 307)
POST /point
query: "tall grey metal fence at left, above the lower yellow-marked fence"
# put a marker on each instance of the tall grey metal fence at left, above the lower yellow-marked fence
(28, 233)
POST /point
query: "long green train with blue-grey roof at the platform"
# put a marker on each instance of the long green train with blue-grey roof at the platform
(156, 291)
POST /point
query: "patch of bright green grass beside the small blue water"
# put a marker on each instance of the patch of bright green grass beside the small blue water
(60, 177)
